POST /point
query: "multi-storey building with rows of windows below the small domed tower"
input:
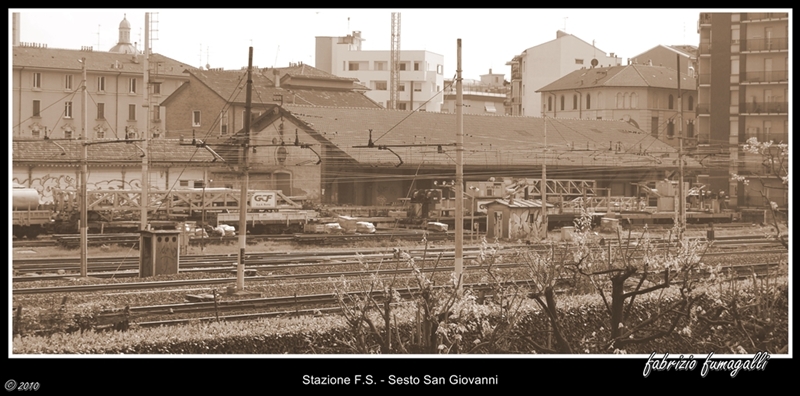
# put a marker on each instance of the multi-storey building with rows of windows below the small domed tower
(47, 97)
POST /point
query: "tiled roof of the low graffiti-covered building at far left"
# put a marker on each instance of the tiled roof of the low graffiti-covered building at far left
(66, 151)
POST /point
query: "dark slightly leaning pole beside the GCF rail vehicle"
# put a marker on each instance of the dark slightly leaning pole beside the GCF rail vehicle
(245, 176)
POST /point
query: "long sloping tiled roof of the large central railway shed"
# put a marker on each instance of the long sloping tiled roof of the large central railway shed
(488, 140)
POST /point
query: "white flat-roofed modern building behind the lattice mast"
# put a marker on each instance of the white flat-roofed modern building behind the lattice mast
(421, 77)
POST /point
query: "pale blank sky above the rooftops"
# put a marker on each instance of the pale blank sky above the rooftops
(490, 37)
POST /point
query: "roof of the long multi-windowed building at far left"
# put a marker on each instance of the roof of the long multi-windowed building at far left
(96, 61)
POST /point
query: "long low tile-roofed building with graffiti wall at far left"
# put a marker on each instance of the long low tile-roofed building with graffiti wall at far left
(49, 164)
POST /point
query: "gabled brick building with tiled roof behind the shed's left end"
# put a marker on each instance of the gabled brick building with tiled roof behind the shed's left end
(211, 104)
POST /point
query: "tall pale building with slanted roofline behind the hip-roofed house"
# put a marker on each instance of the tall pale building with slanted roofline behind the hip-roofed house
(540, 65)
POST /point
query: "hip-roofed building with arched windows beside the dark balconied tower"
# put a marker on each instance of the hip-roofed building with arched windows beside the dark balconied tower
(642, 95)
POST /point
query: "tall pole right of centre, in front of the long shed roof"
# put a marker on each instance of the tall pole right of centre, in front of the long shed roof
(459, 254)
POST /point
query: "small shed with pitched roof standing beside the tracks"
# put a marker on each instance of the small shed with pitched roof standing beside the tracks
(514, 218)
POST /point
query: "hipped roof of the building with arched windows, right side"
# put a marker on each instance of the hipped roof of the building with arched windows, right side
(620, 76)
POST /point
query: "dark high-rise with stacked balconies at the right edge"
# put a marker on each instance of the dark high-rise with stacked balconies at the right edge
(743, 89)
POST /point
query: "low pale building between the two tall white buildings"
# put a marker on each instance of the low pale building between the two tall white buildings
(487, 96)
